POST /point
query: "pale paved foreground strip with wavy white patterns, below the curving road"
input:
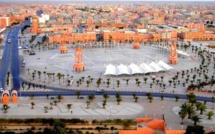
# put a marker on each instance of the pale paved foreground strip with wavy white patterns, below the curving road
(127, 109)
